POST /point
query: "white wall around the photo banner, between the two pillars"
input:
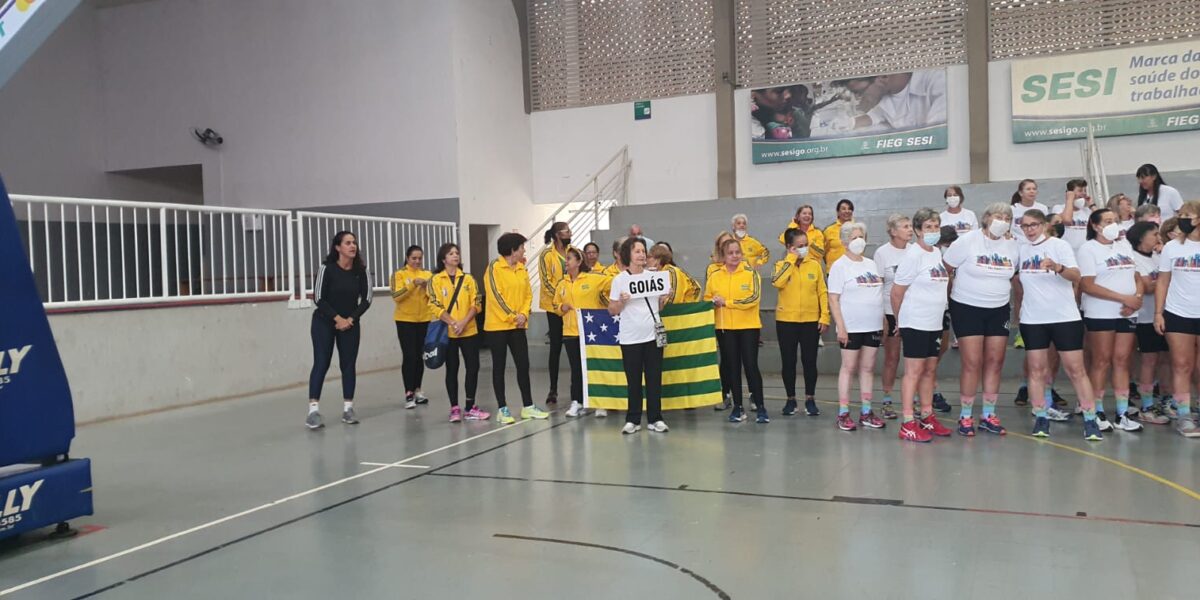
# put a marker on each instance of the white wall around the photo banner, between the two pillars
(952, 165)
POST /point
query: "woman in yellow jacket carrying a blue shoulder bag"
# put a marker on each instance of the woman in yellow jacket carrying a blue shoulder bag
(455, 301)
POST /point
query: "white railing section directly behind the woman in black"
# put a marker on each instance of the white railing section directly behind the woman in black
(382, 243)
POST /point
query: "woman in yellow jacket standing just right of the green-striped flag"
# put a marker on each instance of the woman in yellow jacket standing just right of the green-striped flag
(736, 291)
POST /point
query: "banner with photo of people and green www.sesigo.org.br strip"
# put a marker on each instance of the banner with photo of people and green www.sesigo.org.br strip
(855, 117)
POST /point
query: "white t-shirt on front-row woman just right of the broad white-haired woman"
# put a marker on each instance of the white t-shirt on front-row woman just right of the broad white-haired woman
(1048, 298)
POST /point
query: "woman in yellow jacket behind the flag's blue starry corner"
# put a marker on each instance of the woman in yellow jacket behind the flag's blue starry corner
(580, 289)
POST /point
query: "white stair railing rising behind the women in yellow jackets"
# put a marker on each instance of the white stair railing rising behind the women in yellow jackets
(585, 212)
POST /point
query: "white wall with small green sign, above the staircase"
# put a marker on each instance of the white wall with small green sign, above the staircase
(674, 153)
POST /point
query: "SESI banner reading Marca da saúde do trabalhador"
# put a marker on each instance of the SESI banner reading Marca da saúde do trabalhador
(1148, 89)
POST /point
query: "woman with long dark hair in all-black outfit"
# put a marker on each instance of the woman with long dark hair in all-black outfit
(343, 296)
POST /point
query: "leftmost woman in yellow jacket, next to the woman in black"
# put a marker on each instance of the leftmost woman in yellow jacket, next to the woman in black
(410, 290)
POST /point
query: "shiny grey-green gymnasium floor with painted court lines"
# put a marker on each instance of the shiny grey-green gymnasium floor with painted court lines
(236, 500)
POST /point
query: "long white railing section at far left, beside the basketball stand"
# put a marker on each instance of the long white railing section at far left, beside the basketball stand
(95, 254)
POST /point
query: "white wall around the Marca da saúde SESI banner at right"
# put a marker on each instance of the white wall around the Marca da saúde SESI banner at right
(1123, 155)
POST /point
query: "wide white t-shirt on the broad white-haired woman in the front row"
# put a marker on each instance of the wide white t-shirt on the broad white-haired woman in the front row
(985, 269)
